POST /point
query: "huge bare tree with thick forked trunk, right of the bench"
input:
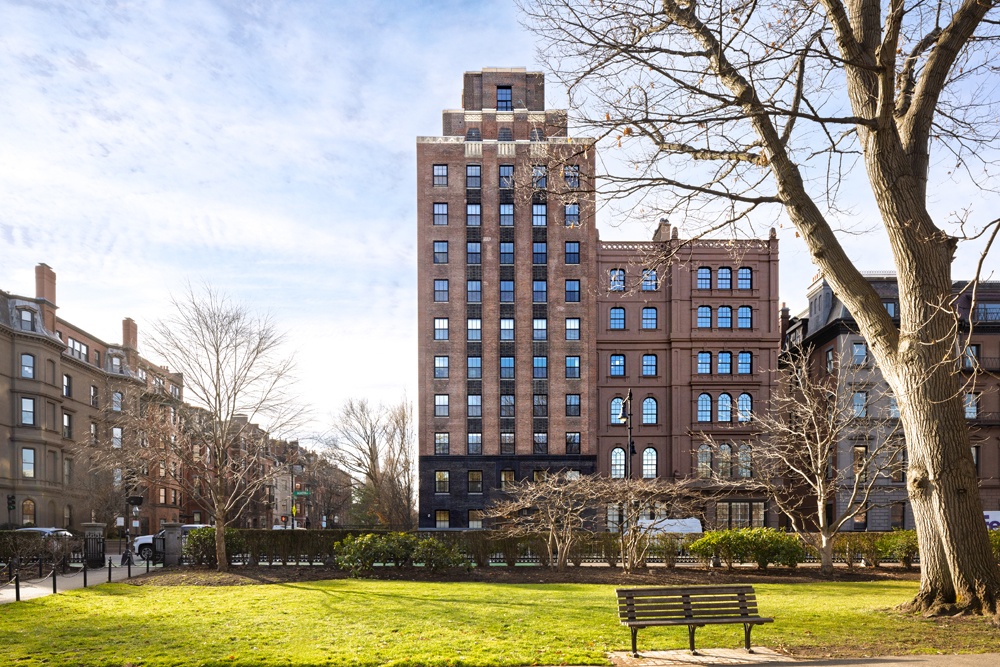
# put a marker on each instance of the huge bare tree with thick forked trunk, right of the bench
(735, 110)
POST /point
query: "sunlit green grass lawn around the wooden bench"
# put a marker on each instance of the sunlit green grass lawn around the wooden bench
(360, 622)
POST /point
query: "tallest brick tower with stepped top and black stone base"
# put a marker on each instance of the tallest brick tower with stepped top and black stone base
(507, 259)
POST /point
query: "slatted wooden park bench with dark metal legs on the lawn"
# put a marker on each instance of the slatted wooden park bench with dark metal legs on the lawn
(693, 606)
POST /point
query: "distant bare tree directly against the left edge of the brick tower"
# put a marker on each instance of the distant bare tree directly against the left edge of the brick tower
(375, 444)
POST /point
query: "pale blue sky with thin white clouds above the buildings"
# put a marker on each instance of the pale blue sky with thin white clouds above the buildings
(266, 148)
